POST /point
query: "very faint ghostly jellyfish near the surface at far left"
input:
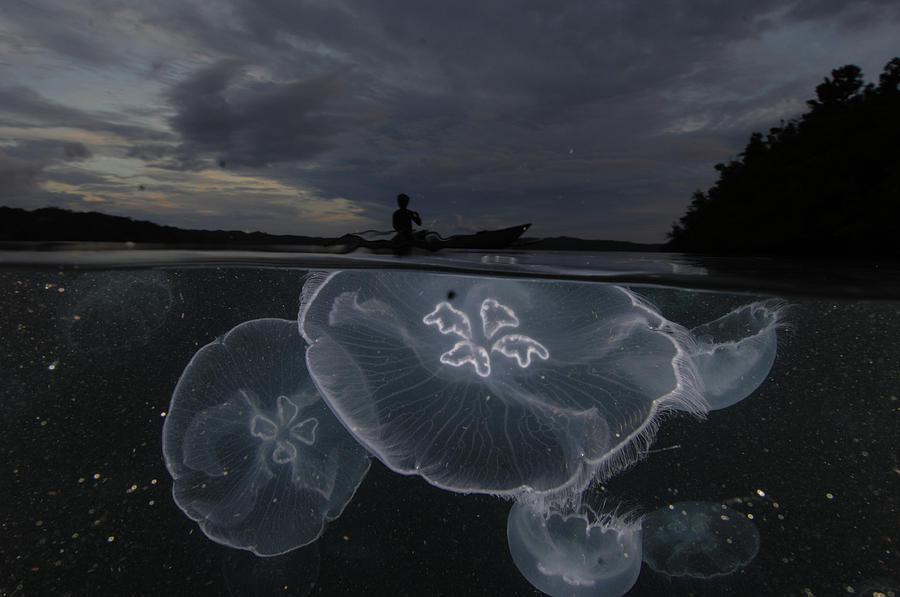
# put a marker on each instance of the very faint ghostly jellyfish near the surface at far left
(103, 312)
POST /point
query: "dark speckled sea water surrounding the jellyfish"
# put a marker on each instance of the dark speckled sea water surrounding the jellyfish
(85, 497)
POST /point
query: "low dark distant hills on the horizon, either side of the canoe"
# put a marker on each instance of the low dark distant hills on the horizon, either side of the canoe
(51, 224)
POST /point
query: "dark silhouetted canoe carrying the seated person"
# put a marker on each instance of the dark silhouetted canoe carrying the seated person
(432, 241)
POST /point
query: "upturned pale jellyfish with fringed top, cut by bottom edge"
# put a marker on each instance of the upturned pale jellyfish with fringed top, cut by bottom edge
(579, 554)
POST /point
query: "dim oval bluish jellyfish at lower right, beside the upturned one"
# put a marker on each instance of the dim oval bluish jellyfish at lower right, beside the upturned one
(698, 539)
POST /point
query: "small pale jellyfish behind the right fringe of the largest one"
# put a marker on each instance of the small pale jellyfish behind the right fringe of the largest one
(735, 352)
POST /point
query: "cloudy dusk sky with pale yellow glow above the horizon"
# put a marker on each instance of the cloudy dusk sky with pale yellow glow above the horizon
(587, 118)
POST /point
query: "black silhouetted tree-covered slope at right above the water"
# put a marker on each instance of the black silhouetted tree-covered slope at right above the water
(827, 183)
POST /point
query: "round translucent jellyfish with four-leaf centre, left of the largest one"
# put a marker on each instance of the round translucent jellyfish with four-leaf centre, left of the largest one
(257, 458)
